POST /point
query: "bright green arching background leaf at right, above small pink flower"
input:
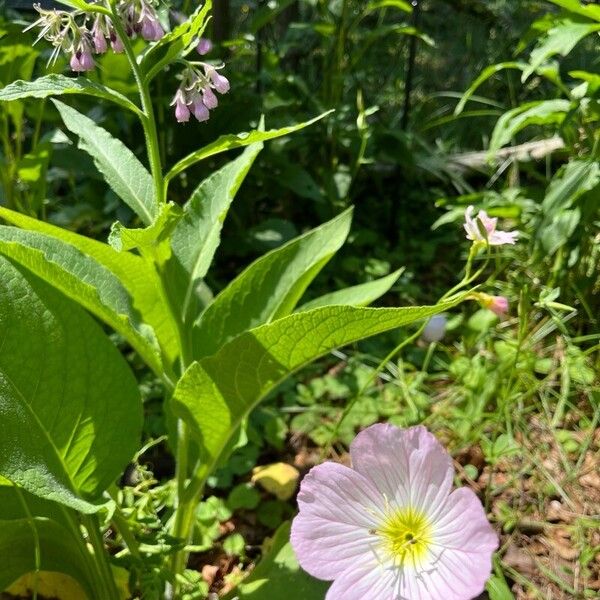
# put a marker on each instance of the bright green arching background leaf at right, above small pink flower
(533, 113)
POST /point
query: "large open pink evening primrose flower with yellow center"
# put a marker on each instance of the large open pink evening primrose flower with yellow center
(390, 527)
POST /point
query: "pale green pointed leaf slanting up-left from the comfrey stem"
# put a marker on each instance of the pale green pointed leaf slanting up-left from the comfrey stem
(122, 170)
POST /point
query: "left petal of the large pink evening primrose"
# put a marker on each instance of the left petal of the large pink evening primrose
(338, 508)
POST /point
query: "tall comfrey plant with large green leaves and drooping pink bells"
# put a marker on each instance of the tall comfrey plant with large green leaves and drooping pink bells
(70, 406)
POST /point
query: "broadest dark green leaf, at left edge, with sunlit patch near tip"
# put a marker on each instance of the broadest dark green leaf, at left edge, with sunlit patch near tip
(63, 387)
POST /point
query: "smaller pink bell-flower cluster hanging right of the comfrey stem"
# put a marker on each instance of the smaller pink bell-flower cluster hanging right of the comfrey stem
(195, 95)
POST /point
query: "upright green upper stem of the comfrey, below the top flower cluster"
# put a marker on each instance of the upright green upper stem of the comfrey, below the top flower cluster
(148, 119)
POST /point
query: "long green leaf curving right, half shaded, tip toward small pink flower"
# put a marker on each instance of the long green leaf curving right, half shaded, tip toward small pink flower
(216, 393)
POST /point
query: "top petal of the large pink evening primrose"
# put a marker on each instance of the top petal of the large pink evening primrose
(409, 466)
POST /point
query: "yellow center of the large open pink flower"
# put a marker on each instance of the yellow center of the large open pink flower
(407, 536)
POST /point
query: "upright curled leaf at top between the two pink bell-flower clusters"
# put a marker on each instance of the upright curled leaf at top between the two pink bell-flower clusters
(175, 44)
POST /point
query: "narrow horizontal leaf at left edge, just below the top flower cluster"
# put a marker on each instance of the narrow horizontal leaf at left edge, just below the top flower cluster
(59, 85)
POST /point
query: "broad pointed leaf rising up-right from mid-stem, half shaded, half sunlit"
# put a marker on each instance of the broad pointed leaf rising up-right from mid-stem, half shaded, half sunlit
(270, 287)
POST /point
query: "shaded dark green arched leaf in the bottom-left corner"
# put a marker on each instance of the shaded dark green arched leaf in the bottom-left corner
(58, 552)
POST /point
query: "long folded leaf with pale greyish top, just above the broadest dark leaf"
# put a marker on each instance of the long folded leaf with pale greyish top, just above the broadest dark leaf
(86, 281)
